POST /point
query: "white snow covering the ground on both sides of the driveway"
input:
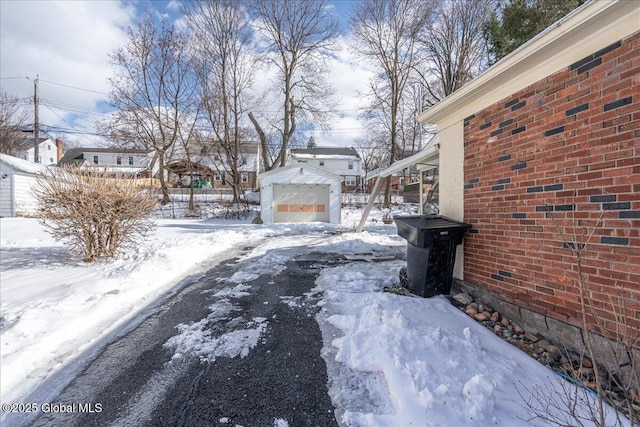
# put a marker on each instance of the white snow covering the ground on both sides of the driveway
(392, 360)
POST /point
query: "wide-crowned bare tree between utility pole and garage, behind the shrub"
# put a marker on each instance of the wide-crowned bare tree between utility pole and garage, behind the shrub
(152, 90)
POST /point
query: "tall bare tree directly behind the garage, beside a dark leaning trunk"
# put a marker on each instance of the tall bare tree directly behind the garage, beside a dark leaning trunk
(296, 35)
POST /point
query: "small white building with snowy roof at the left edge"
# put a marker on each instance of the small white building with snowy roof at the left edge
(17, 180)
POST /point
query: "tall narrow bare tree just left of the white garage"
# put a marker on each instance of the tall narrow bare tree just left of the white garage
(220, 40)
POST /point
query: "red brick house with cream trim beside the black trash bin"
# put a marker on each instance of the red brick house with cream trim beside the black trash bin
(546, 140)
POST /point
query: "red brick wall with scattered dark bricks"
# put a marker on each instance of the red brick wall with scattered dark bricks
(566, 148)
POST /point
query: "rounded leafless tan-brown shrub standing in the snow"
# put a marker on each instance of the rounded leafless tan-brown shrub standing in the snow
(95, 214)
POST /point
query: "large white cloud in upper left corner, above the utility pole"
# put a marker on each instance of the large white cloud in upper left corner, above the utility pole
(63, 42)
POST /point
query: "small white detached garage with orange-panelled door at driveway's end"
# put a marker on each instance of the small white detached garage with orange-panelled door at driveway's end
(300, 193)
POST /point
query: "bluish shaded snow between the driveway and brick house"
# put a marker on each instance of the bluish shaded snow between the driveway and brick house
(401, 361)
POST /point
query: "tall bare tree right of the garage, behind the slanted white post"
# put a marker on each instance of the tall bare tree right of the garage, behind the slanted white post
(386, 34)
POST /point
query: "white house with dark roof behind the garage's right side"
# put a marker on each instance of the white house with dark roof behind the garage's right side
(345, 162)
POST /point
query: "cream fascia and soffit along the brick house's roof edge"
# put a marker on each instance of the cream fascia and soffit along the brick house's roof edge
(593, 26)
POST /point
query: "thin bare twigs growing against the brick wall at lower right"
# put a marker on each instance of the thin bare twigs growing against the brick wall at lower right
(575, 405)
